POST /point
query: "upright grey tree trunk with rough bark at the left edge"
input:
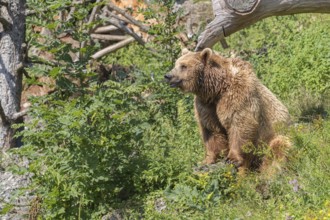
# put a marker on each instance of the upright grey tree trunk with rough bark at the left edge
(12, 36)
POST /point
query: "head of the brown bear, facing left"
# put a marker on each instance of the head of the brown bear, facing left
(188, 72)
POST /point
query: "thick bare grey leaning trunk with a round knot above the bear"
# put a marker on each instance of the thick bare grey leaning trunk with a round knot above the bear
(234, 15)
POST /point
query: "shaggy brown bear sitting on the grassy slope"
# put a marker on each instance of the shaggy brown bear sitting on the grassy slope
(236, 113)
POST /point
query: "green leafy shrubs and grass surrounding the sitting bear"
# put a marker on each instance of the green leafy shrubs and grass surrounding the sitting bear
(129, 146)
